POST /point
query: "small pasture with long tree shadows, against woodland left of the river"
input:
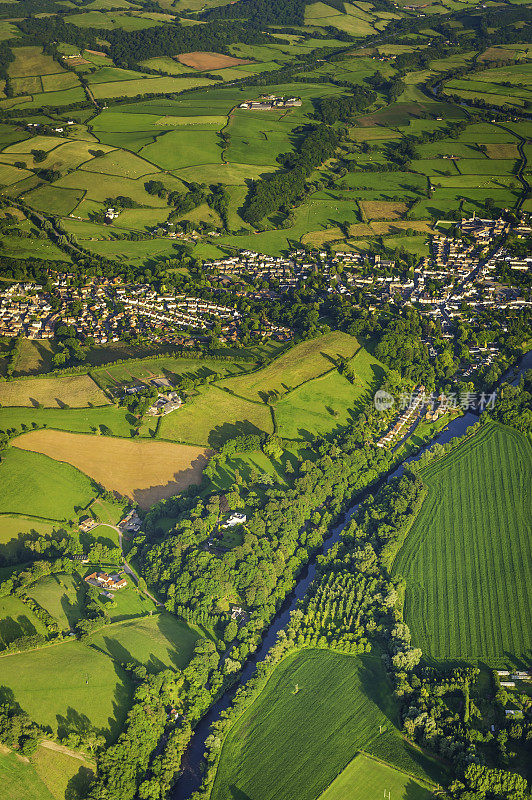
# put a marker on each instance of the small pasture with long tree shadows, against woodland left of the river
(158, 641)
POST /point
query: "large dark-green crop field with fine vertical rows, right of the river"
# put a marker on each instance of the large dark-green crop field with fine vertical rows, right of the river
(467, 559)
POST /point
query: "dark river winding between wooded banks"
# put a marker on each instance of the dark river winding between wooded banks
(191, 779)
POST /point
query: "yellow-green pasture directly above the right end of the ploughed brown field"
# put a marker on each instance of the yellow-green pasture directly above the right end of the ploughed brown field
(214, 416)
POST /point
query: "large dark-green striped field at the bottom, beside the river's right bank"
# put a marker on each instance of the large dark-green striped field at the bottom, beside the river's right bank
(273, 749)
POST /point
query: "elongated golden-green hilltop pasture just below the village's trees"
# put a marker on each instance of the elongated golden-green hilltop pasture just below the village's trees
(300, 364)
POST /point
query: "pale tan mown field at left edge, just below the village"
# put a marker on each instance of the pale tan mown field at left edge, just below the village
(73, 390)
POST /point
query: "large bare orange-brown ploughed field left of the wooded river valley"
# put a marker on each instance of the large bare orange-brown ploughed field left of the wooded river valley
(144, 470)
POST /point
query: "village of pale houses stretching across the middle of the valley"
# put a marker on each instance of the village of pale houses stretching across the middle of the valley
(460, 277)
